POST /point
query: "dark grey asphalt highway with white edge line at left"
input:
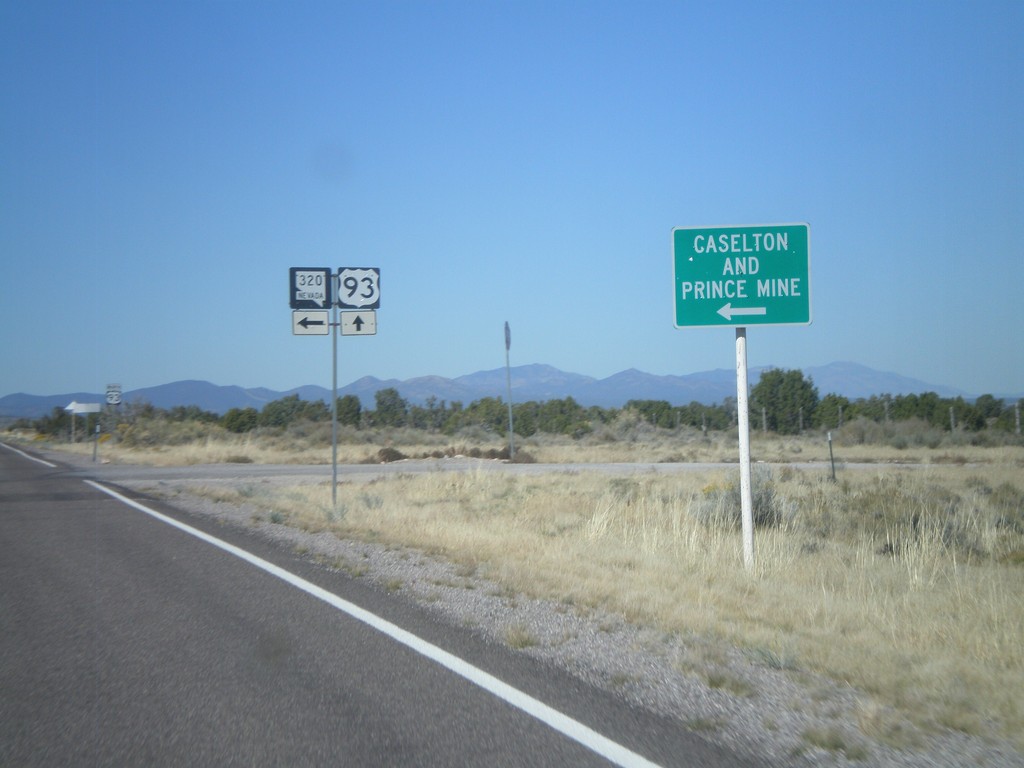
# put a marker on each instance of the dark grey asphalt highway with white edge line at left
(125, 641)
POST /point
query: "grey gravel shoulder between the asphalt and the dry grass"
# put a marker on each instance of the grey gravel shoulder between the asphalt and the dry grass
(756, 706)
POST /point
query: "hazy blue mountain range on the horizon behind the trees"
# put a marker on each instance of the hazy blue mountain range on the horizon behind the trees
(536, 382)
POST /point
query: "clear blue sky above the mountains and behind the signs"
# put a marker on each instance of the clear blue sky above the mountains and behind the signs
(163, 165)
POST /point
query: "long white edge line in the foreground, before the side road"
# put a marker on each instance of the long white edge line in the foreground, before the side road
(551, 717)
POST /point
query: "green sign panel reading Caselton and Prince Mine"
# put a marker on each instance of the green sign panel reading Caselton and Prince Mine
(743, 276)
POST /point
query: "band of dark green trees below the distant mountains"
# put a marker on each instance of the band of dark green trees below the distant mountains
(783, 402)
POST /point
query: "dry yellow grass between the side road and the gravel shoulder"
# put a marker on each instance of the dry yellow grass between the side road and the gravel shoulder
(921, 612)
